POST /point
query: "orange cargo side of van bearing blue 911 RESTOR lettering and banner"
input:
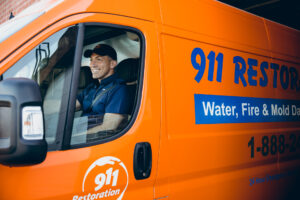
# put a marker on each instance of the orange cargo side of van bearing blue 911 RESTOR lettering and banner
(231, 120)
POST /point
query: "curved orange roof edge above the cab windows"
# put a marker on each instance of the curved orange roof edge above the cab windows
(56, 11)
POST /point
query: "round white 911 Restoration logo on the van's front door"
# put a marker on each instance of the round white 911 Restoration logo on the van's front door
(106, 178)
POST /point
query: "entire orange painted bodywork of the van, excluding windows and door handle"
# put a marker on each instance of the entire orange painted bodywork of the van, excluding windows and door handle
(190, 160)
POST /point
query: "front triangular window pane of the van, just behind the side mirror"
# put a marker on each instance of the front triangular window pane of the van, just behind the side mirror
(50, 65)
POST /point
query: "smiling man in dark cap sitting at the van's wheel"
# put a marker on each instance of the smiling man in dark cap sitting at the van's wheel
(109, 97)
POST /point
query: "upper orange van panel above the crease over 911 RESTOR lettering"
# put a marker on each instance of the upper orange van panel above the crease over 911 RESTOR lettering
(217, 20)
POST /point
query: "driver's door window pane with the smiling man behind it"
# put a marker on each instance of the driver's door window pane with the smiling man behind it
(109, 79)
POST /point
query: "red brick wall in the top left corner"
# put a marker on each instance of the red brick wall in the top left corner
(14, 6)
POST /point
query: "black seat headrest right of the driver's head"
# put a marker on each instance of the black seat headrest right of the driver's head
(128, 69)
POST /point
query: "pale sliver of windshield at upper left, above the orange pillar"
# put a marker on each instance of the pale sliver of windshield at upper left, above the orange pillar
(12, 26)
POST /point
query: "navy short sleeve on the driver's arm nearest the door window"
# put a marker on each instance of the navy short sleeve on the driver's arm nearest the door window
(119, 101)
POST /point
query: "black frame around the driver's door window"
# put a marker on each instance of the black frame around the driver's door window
(66, 140)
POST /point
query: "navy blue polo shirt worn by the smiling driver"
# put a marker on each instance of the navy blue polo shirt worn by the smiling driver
(114, 98)
